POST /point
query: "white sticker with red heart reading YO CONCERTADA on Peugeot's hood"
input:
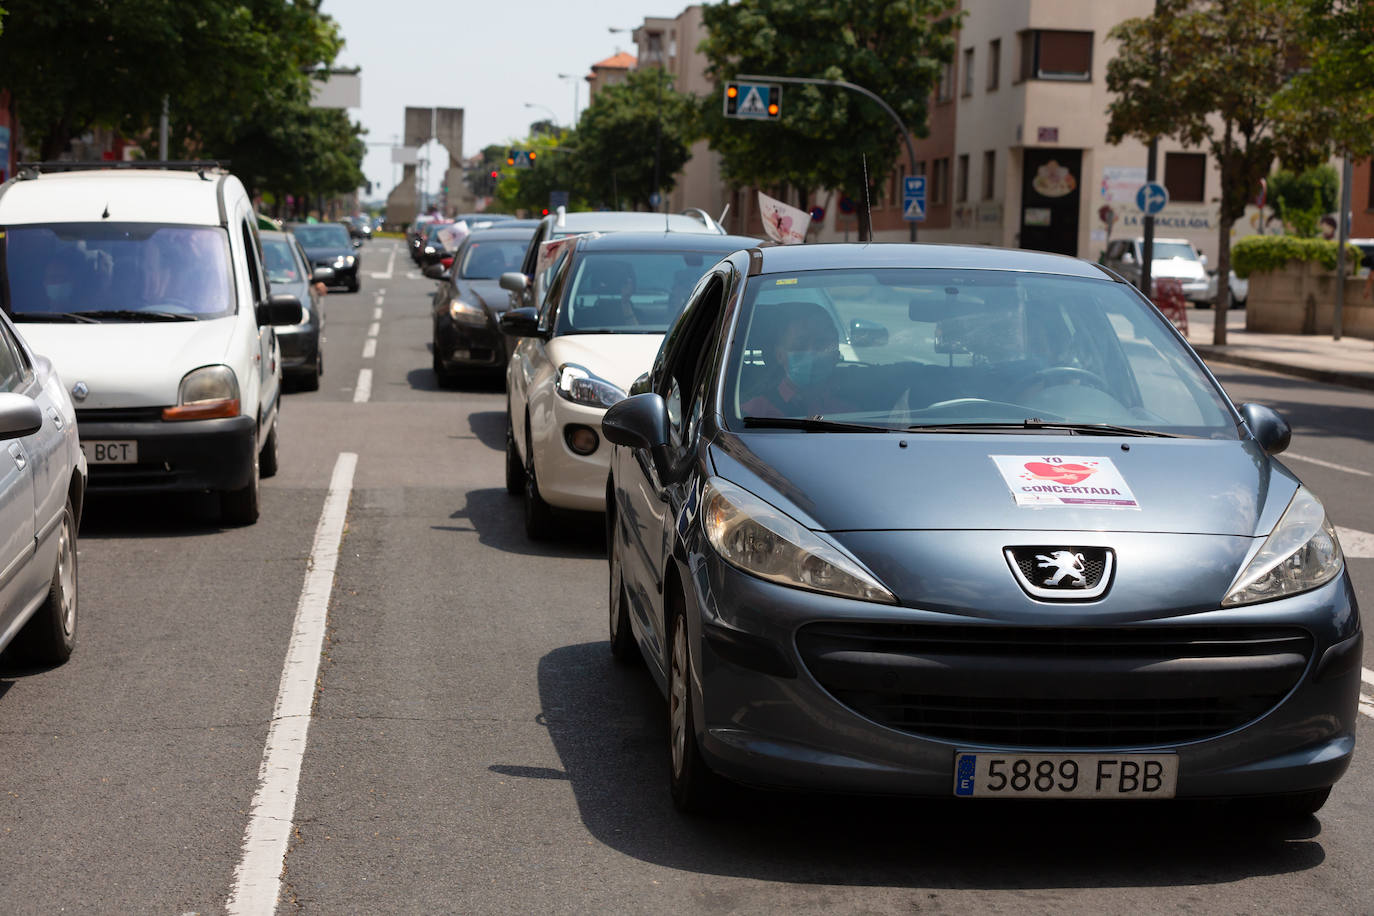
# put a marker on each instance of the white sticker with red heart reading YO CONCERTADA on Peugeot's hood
(1066, 480)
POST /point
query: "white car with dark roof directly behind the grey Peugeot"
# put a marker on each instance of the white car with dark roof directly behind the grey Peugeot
(597, 330)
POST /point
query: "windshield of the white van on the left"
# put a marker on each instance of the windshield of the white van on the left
(117, 268)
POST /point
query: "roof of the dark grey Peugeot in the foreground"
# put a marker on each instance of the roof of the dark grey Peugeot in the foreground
(839, 256)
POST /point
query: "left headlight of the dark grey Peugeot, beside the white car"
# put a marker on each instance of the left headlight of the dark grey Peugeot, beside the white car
(762, 540)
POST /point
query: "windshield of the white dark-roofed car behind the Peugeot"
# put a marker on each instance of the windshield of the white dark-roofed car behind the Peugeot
(630, 292)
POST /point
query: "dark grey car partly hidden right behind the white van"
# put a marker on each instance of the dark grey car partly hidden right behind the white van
(289, 271)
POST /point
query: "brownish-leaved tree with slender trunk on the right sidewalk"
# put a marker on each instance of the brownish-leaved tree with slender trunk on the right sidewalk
(1207, 72)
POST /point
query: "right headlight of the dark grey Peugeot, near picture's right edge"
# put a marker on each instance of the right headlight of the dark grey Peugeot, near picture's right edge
(1299, 556)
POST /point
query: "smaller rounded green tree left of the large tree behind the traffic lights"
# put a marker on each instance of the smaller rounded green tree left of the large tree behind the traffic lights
(631, 134)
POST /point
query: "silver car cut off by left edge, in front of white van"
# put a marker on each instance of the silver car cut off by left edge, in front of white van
(43, 477)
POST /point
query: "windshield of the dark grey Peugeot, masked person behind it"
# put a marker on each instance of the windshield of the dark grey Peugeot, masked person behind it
(931, 350)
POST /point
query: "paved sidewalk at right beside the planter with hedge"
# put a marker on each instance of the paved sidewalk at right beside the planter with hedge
(1349, 362)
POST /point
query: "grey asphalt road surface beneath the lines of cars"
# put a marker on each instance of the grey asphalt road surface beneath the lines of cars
(472, 748)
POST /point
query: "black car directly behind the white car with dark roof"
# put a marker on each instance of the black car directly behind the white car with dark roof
(469, 303)
